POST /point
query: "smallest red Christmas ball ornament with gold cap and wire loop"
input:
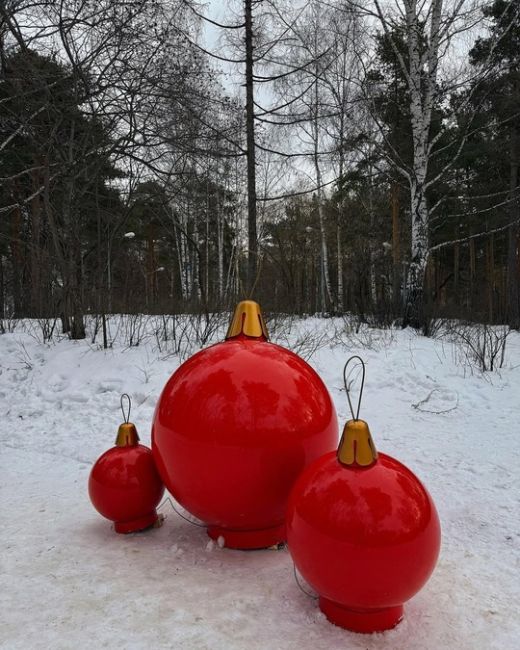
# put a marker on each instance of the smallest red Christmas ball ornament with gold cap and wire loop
(124, 485)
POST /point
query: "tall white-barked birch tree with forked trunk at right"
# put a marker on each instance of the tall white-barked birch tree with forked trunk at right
(430, 30)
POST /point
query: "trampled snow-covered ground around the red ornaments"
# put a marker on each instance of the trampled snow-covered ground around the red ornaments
(68, 581)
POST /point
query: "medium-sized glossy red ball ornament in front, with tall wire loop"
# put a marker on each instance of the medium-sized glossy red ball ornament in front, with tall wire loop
(363, 531)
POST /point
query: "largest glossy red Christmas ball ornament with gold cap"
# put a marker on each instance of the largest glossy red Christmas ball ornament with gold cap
(234, 427)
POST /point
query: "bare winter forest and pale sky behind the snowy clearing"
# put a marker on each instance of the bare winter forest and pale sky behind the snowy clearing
(323, 157)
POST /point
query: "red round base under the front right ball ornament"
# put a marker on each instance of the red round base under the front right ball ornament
(361, 620)
